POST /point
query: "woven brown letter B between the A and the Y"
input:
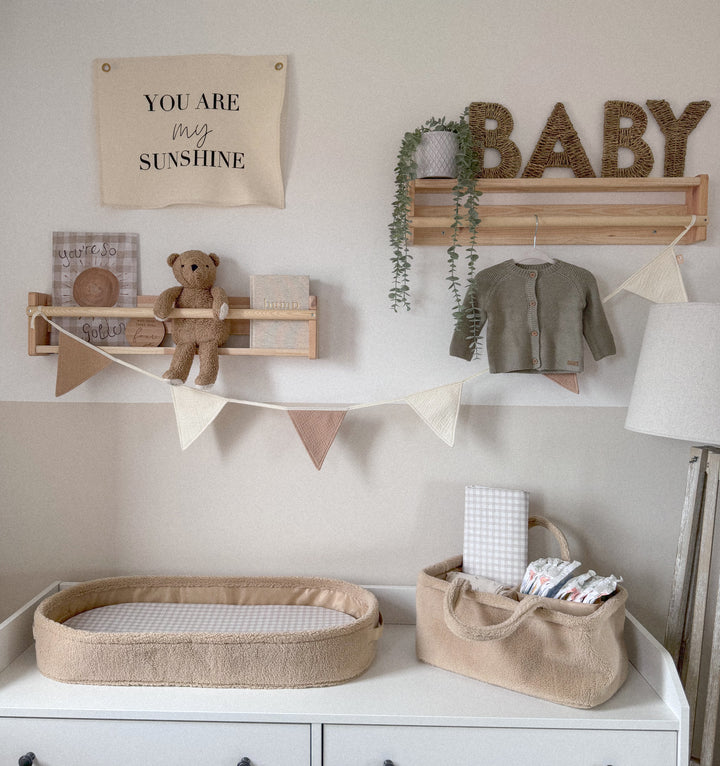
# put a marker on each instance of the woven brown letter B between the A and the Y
(614, 137)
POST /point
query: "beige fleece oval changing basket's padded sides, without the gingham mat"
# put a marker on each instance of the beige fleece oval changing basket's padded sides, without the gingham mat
(295, 659)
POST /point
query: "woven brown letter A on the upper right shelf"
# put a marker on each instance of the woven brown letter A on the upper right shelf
(559, 129)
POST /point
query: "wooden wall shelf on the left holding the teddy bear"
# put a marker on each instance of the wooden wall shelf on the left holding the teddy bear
(240, 316)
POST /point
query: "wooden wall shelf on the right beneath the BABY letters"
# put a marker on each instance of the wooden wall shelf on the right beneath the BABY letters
(602, 221)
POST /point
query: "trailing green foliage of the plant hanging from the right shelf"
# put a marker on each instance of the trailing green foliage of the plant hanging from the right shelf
(410, 165)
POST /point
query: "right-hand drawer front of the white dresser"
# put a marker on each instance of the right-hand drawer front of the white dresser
(451, 746)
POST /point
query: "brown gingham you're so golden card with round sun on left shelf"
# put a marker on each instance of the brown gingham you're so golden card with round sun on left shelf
(94, 269)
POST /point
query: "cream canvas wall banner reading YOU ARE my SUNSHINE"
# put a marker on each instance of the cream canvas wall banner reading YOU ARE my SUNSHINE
(190, 130)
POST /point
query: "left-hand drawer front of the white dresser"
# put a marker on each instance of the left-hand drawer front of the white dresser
(81, 742)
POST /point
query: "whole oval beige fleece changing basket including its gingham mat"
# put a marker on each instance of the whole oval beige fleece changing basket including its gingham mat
(253, 632)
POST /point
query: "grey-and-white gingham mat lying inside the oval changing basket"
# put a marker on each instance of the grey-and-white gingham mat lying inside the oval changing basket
(151, 617)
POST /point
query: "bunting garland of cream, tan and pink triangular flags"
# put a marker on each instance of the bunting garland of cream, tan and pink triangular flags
(195, 409)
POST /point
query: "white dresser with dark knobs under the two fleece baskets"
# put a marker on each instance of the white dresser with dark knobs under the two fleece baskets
(400, 711)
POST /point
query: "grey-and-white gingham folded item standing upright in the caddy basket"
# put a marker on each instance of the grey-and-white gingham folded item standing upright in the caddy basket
(496, 533)
